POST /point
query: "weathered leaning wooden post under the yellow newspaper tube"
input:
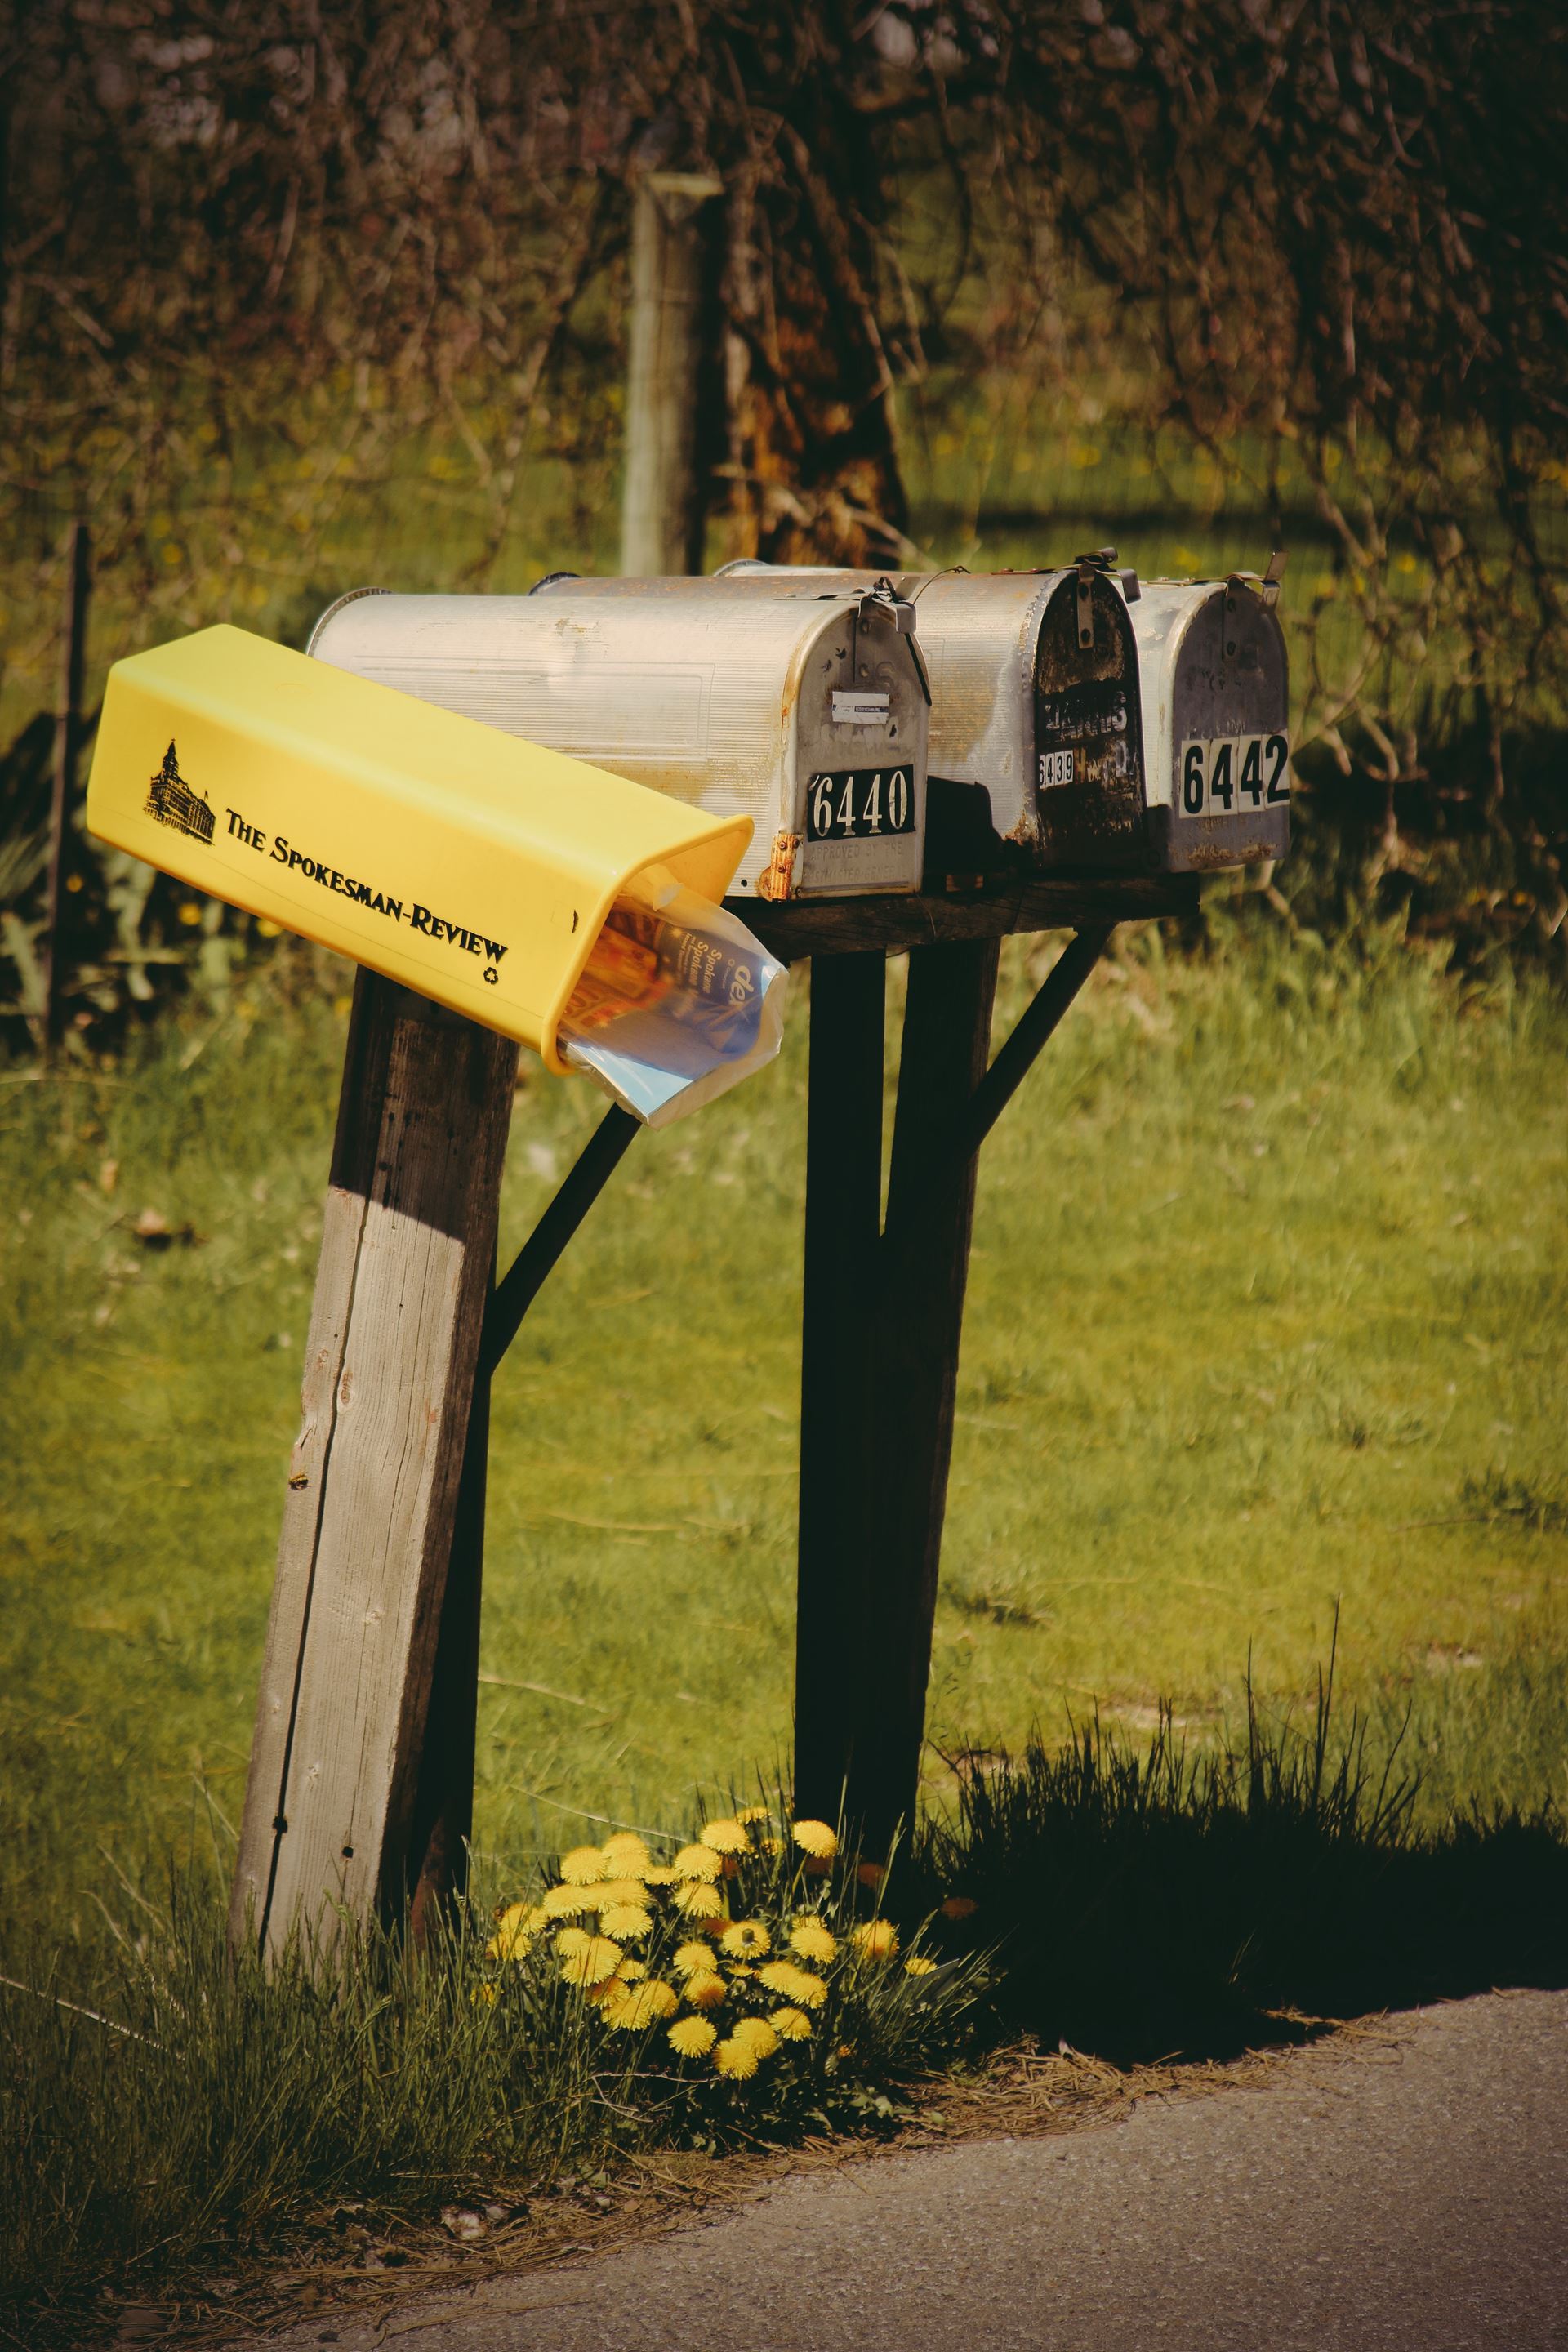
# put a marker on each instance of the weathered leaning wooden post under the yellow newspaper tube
(351, 1655)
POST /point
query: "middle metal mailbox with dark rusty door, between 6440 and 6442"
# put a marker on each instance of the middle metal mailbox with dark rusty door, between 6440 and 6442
(1036, 716)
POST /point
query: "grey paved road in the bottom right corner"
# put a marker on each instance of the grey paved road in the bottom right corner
(1402, 2198)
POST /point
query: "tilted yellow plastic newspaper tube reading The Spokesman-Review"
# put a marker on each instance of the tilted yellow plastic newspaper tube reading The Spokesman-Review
(436, 850)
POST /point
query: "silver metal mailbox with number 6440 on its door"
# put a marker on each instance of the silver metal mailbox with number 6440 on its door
(810, 714)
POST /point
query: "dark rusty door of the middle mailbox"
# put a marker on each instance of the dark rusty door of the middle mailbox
(1090, 791)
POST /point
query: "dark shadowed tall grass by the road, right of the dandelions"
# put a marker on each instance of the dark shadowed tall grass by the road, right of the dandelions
(1153, 1904)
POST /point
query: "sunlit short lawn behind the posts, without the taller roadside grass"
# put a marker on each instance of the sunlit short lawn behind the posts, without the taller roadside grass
(1266, 1316)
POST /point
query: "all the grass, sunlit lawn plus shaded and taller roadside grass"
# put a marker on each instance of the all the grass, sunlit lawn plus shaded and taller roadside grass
(1266, 1318)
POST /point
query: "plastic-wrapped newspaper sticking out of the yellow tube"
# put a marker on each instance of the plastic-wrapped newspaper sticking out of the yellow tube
(676, 1005)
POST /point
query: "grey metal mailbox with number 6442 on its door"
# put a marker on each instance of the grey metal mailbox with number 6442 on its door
(1217, 711)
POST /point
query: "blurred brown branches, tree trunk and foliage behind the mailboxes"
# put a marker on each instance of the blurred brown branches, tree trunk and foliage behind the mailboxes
(293, 300)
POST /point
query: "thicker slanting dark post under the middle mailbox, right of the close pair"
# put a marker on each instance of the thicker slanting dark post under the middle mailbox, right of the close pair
(920, 1278)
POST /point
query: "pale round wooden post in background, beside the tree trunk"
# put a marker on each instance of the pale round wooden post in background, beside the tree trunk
(664, 512)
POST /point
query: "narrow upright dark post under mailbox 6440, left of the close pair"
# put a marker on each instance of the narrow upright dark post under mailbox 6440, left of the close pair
(836, 1368)
